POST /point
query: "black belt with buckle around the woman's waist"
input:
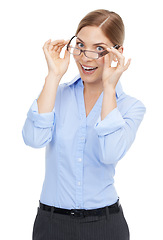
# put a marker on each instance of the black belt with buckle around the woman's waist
(115, 208)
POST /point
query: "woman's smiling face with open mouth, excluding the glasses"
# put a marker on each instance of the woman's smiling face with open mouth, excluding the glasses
(91, 38)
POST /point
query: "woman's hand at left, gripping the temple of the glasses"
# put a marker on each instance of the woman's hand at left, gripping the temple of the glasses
(56, 65)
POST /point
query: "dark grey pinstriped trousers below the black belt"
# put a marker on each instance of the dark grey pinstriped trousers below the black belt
(56, 226)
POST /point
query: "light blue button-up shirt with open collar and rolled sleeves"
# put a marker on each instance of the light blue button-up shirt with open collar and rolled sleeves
(82, 152)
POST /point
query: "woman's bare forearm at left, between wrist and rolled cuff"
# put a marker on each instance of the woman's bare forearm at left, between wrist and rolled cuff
(46, 100)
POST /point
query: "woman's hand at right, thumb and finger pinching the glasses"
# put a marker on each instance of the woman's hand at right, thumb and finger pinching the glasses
(111, 75)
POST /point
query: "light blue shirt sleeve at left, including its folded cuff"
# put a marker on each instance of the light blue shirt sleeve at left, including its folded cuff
(38, 128)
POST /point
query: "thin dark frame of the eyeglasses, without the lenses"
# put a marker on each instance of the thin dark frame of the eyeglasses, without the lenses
(85, 51)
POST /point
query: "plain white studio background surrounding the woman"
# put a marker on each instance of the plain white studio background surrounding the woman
(25, 26)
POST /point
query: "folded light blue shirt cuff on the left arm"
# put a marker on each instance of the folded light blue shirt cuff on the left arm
(42, 120)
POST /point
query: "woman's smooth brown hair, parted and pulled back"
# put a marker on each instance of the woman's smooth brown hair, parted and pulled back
(110, 23)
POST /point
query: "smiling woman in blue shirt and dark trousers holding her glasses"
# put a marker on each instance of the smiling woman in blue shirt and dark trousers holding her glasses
(87, 126)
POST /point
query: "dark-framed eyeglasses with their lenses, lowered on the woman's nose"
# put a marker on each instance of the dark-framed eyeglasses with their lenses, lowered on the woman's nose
(72, 47)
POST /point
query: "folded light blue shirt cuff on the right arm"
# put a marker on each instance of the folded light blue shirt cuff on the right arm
(111, 123)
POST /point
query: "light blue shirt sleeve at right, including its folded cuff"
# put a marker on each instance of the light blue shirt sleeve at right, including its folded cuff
(116, 133)
